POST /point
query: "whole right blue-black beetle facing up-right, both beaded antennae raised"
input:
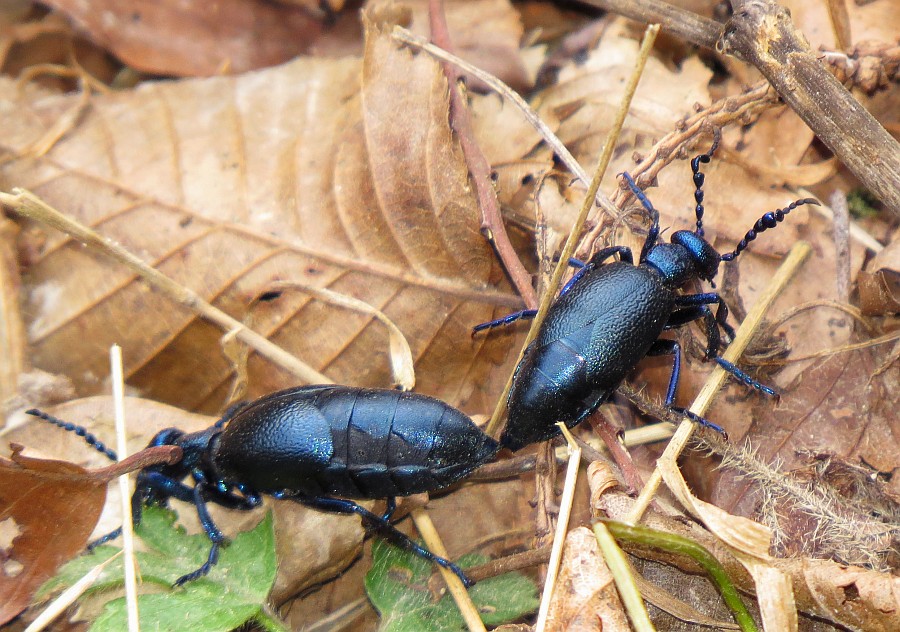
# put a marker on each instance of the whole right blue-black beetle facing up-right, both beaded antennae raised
(610, 315)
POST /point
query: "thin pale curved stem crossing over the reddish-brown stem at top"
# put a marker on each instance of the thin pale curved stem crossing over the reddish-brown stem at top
(565, 156)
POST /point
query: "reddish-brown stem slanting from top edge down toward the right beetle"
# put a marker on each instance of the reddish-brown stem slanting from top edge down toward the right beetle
(492, 226)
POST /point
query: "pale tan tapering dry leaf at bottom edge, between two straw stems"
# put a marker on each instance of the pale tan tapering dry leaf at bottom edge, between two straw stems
(585, 597)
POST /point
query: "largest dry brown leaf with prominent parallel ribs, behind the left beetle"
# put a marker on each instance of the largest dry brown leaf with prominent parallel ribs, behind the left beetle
(334, 173)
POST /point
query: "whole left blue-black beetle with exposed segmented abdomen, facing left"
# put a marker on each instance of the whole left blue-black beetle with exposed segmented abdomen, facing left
(311, 444)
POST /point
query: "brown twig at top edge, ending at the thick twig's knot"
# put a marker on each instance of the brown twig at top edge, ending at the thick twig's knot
(676, 21)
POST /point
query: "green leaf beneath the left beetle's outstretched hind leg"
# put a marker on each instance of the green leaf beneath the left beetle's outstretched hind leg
(397, 585)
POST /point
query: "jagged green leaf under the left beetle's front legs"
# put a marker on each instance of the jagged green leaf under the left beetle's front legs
(232, 594)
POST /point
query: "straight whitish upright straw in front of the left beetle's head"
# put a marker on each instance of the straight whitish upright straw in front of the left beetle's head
(129, 561)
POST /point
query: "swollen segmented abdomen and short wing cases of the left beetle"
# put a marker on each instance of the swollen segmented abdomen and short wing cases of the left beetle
(369, 443)
